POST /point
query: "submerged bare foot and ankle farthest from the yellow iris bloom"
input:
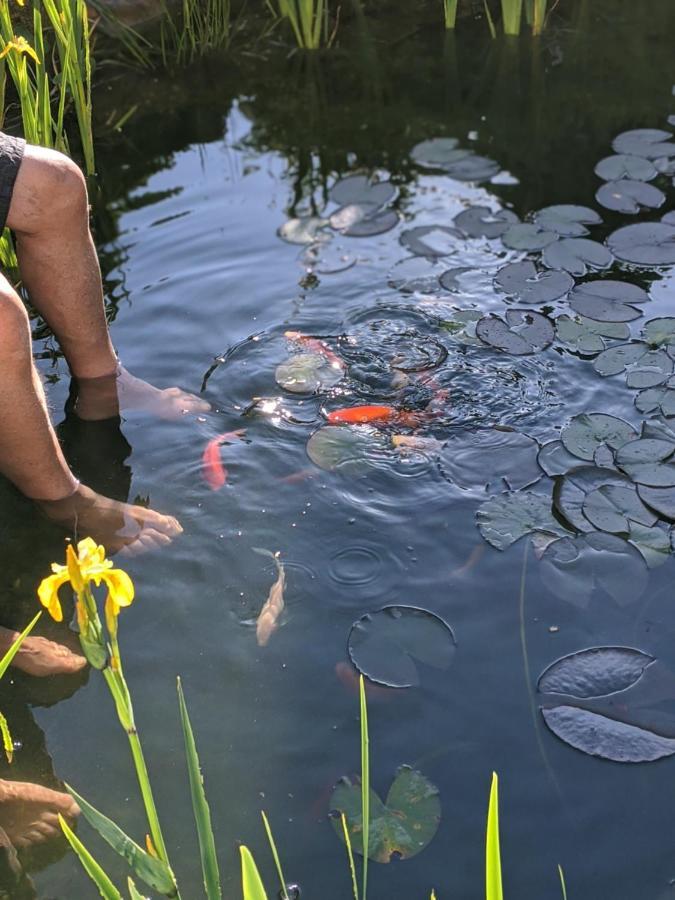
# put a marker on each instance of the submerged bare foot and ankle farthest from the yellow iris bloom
(110, 395)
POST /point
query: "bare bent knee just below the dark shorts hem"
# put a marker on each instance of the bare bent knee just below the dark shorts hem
(50, 191)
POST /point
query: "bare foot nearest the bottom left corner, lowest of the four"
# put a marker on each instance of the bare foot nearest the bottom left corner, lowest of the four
(29, 813)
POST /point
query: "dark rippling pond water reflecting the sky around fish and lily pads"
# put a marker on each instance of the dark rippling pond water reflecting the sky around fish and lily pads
(201, 289)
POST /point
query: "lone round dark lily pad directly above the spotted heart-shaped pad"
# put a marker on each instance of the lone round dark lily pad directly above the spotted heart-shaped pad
(387, 645)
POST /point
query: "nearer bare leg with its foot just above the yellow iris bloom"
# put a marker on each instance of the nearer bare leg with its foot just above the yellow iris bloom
(31, 458)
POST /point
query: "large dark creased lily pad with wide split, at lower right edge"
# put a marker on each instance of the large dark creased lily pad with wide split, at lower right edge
(588, 719)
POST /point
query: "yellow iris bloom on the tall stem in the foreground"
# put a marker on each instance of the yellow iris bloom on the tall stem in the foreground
(88, 565)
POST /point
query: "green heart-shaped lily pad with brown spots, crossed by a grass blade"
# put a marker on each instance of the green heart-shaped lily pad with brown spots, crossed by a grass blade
(399, 829)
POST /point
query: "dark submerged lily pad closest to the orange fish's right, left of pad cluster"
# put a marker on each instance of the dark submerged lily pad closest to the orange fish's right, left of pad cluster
(486, 459)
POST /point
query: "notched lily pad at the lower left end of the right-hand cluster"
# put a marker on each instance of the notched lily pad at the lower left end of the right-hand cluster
(504, 519)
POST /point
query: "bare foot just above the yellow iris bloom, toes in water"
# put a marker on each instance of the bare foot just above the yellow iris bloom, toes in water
(117, 526)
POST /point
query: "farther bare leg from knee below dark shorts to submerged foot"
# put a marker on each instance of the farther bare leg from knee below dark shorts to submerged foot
(49, 214)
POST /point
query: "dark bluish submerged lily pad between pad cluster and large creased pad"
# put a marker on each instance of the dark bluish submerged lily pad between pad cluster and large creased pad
(573, 569)
